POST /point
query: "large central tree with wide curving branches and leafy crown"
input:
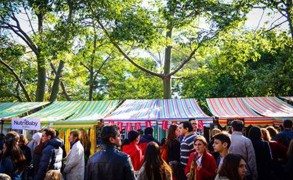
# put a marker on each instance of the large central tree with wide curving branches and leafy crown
(164, 25)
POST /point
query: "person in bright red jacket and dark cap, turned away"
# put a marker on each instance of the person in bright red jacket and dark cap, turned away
(133, 150)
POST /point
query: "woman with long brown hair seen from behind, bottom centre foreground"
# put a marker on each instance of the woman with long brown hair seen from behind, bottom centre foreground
(154, 167)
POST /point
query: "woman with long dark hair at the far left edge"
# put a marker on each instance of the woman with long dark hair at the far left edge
(13, 161)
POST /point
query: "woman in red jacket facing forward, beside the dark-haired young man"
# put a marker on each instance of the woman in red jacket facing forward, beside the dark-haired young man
(201, 164)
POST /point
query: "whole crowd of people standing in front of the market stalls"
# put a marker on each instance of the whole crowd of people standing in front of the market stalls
(259, 153)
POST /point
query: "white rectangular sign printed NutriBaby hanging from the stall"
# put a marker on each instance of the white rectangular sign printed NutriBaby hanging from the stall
(28, 124)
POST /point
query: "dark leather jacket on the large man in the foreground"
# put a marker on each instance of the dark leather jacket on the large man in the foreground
(110, 164)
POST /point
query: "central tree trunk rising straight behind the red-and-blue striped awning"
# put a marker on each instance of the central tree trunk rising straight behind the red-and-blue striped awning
(167, 67)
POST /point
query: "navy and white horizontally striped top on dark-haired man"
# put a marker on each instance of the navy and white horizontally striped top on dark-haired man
(186, 147)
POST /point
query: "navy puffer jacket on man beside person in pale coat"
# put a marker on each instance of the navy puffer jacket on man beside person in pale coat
(51, 158)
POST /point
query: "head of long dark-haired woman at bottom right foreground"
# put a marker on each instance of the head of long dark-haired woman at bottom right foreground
(233, 167)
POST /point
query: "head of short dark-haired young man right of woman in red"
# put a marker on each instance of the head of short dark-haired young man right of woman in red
(222, 142)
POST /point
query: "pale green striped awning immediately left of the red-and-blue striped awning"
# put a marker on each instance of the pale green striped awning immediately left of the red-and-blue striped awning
(92, 111)
